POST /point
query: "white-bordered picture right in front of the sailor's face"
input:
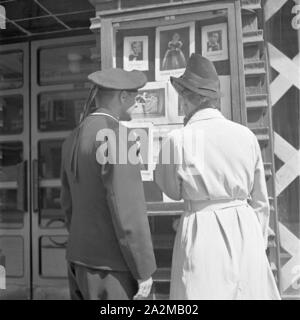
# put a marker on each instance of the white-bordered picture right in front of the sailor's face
(151, 103)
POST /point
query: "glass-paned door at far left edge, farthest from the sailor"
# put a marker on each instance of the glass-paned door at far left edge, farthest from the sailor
(14, 170)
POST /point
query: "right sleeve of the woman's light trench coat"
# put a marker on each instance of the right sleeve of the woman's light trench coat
(259, 194)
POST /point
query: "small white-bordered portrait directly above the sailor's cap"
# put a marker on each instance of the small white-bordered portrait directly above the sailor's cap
(136, 53)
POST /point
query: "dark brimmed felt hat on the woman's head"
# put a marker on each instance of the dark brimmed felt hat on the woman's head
(200, 76)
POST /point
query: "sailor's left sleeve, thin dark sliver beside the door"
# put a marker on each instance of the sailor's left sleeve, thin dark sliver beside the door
(65, 196)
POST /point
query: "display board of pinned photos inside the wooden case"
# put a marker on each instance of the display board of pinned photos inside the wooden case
(161, 50)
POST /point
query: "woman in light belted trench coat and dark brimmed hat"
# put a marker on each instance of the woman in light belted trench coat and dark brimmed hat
(216, 167)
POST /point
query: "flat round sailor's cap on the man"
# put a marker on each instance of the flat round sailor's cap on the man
(118, 79)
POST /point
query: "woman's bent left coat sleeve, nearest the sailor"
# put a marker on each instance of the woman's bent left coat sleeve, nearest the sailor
(166, 172)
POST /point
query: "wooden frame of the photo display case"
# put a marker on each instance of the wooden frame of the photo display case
(112, 22)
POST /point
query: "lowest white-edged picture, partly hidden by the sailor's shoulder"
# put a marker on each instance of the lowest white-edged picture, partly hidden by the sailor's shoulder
(142, 133)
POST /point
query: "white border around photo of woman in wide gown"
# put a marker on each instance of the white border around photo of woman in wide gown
(164, 75)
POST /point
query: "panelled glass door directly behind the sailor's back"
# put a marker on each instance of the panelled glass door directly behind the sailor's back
(59, 90)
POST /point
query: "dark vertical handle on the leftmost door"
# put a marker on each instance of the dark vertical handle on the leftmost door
(22, 186)
